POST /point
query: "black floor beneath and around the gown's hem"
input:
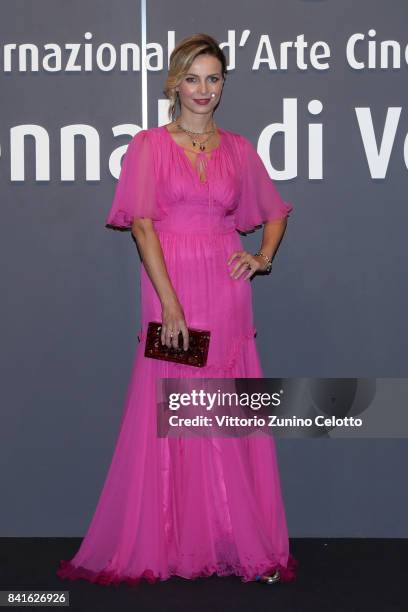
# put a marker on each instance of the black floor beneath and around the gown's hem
(333, 575)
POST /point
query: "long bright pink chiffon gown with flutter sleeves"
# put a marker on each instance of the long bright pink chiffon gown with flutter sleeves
(194, 506)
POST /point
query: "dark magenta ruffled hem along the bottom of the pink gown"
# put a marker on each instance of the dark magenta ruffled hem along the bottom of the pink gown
(68, 571)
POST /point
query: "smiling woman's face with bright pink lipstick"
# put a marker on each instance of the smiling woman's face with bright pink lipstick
(203, 79)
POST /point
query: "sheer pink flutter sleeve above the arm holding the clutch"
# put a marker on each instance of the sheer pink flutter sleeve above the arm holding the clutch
(135, 193)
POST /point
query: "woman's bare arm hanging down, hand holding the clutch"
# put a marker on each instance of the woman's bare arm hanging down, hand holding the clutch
(173, 318)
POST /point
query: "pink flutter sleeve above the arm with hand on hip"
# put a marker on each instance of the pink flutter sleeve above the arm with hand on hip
(259, 200)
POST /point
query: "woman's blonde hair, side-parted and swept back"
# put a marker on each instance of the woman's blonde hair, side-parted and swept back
(181, 58)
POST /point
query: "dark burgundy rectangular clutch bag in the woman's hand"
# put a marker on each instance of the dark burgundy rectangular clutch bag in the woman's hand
(195, 355)
